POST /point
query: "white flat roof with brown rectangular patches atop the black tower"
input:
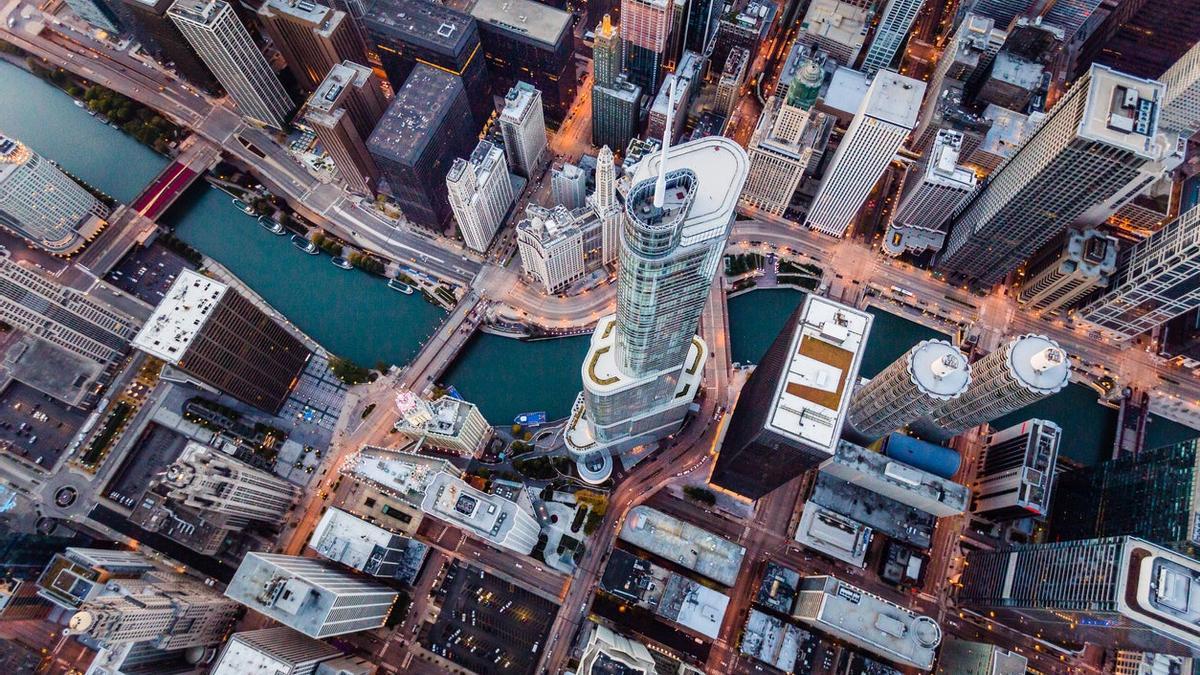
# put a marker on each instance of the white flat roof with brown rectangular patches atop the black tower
(826, 351)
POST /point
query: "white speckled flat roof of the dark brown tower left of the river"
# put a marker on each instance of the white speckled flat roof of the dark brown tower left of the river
(181, 316)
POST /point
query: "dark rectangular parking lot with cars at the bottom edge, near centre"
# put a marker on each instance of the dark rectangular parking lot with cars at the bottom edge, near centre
(488, 625)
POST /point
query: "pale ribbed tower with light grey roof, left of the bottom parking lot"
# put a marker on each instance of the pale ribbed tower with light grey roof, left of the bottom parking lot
(313, 596)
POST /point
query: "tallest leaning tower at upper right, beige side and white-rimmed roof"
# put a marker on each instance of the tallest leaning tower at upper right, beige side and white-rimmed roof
(1096, 139)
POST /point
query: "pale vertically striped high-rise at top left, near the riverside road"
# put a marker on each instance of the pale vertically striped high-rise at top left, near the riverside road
(218, 35)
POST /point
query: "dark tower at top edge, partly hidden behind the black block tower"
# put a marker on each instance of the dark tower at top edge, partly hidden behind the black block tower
(406, 33)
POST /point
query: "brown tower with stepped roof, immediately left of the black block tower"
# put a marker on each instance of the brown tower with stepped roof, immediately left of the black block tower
(343, 112)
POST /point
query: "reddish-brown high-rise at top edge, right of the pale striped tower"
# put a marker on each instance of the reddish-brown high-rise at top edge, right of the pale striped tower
(313, 38)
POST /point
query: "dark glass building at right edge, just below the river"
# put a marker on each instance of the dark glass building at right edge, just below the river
(1154, 495)
